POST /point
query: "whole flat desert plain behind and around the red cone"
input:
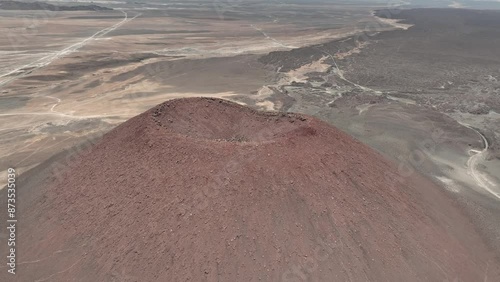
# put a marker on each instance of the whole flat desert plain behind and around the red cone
(420, 86)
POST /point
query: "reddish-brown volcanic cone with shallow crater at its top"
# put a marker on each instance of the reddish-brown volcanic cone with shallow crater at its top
(207, 190)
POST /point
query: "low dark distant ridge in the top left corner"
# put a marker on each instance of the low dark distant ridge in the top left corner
(16, 5)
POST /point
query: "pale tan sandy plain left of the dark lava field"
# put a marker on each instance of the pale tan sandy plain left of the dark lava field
(65, 76)
